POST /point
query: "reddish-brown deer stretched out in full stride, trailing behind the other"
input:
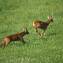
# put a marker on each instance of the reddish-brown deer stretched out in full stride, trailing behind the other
(14, 37)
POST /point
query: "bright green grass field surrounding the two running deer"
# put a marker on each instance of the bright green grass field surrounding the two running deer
(16, 14)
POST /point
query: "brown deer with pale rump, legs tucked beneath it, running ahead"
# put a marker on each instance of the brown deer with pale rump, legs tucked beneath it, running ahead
(37, 24)
